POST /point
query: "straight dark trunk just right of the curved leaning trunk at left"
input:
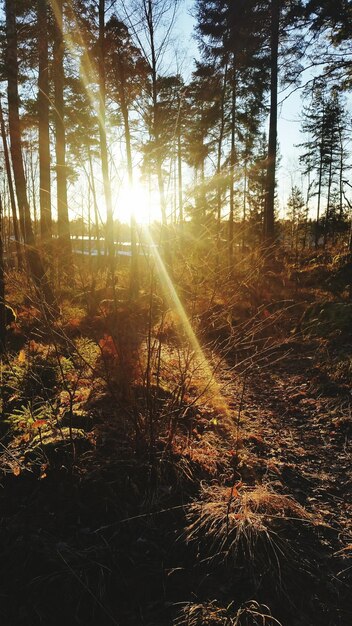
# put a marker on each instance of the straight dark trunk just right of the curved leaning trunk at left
(43, 119)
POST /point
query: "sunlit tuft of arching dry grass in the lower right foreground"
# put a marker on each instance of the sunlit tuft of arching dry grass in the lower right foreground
(254, 528)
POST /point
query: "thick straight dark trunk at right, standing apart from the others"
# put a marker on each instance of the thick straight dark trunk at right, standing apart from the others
(269, 221)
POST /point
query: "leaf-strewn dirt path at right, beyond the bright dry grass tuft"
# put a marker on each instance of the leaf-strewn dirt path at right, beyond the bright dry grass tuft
(304, 436)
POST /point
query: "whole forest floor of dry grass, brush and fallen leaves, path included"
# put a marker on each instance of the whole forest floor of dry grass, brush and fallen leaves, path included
(237, 514)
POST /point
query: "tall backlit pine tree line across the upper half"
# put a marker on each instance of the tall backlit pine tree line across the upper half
(86, 78)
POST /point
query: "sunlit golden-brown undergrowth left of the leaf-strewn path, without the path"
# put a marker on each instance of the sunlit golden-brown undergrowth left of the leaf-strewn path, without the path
(123, 435)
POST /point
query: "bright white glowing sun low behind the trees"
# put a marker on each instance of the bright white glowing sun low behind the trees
(137, 201)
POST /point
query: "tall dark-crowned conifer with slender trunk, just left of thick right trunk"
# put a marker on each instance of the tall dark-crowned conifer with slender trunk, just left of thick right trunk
(233, 33)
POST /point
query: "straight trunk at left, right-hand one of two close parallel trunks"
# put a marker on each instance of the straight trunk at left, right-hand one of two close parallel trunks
(64, 240)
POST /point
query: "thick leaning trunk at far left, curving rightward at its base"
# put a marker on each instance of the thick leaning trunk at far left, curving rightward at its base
(35, 264)
